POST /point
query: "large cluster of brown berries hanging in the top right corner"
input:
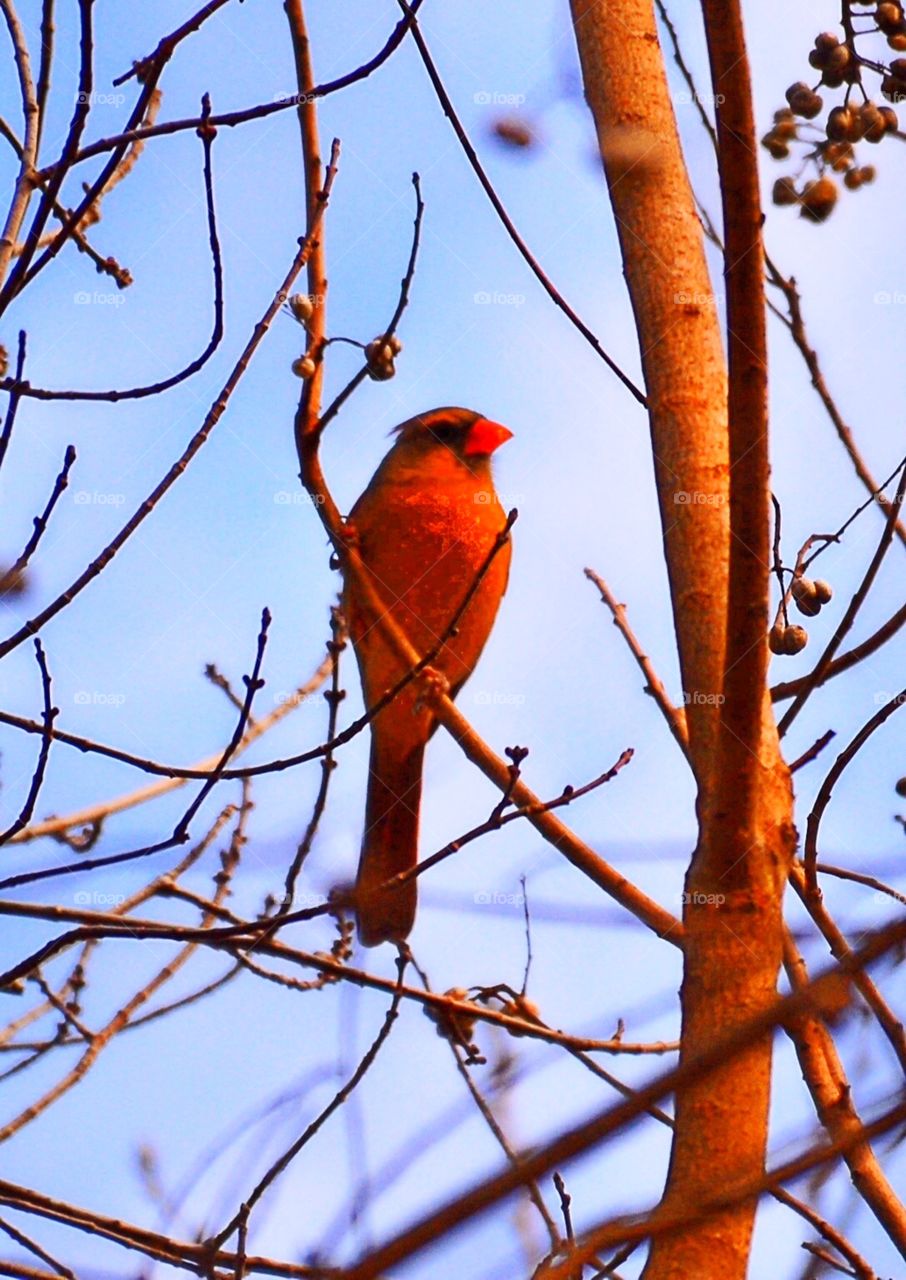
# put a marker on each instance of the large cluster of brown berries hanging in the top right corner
(832, 150)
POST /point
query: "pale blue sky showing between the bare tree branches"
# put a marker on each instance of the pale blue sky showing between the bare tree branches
(127, 657)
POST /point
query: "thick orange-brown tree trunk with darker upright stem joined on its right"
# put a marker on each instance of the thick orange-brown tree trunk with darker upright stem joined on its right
(720, 597)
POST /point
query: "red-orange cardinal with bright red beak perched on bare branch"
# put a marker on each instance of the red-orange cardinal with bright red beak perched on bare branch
(424, 529)
